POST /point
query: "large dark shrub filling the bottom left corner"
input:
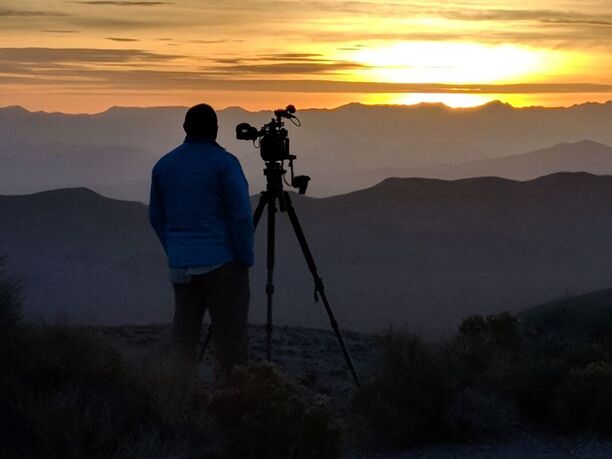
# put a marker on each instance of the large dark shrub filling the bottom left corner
(69, 395)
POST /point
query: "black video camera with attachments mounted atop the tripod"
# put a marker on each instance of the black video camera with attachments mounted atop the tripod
(274, 144)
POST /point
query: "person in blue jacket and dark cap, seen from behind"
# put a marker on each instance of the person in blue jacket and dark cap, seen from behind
(200, 210)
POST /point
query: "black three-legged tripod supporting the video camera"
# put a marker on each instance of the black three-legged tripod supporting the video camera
(275, 193)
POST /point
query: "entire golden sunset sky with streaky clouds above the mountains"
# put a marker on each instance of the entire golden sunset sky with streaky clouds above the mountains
(86, 56)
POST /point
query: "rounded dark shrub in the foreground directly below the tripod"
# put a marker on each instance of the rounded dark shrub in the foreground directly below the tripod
(262, 415)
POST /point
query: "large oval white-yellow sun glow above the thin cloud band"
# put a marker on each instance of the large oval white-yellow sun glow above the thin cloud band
(438, 62)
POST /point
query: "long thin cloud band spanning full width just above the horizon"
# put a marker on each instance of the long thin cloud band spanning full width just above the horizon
(79, 79)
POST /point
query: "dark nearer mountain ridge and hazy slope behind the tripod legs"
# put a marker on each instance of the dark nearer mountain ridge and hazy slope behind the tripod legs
(415, 253)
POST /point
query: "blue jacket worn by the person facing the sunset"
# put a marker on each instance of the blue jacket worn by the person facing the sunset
(200, 208)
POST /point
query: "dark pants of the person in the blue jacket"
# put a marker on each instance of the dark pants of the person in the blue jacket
(225, 293)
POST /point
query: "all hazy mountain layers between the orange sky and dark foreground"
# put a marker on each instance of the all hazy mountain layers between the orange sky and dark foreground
(418, 253)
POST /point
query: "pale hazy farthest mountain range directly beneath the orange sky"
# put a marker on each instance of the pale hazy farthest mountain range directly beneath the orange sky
(344, 149)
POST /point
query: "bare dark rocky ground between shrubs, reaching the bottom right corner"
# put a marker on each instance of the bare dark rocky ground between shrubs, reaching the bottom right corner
(313, 358)
